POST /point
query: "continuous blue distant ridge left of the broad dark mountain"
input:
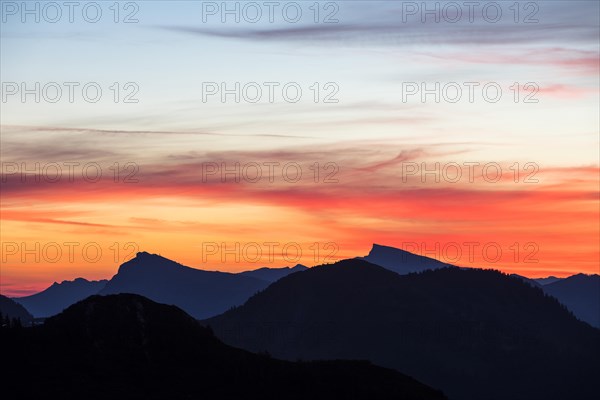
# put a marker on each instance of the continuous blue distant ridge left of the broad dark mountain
(200, 293)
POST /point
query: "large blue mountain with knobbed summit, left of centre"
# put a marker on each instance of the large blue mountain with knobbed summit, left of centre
(201, 294)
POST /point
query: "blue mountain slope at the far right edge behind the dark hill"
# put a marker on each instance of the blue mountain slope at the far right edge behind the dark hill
(579, 293)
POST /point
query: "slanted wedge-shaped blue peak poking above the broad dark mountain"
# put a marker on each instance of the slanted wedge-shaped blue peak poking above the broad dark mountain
(401, 261)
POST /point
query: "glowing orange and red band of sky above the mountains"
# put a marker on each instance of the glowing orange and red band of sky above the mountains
(544, 223)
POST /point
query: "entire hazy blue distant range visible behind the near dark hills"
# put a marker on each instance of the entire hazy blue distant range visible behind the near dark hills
(204, 294)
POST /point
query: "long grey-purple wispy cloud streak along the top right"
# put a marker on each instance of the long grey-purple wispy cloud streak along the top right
(556, 22)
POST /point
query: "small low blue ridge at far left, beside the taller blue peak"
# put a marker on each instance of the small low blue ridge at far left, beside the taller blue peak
(59, 296)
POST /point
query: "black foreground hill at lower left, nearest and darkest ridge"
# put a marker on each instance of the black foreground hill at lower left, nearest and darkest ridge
(126, 346)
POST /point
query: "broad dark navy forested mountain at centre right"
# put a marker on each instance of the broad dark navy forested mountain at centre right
(476, 334)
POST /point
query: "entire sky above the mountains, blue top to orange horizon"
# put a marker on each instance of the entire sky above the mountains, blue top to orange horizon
(236, 135)
